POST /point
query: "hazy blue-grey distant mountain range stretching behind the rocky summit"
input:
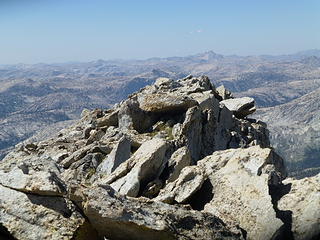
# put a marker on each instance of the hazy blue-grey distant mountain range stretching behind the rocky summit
(37, 98)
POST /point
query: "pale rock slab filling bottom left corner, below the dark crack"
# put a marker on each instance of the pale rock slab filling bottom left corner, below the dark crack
(29, 217)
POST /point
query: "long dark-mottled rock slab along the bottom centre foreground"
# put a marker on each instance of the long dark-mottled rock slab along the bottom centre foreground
(118, 217)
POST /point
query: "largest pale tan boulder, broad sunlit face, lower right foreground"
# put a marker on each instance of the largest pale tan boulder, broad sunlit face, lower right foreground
(240, 195)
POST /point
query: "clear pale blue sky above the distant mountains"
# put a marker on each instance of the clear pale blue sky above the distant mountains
(35, 31)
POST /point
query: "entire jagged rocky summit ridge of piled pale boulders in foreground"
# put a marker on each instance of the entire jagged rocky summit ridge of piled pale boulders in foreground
(176, 160)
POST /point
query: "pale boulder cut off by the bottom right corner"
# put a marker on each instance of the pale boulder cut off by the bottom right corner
(303, 201)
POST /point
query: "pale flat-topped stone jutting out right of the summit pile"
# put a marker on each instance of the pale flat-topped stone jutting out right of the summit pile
(241, 107)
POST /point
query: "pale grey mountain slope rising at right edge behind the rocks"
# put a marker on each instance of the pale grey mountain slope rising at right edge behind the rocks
(295, 132)
